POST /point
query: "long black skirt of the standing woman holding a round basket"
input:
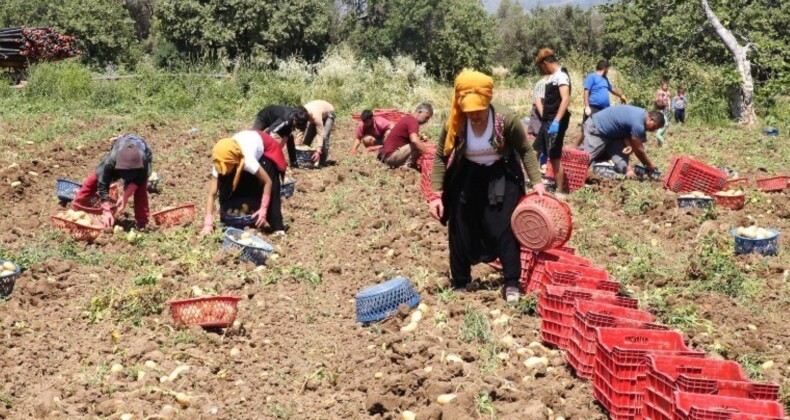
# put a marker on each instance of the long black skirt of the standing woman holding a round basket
(481, 232)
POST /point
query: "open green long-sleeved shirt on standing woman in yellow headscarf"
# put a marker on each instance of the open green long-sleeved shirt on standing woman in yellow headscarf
(514, 138)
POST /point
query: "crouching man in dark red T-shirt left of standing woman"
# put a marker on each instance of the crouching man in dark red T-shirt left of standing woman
(403, 146)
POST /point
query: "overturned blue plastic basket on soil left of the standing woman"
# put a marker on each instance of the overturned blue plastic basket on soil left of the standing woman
(381, 301)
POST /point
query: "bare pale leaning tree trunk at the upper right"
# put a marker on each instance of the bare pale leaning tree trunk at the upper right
(744, 102)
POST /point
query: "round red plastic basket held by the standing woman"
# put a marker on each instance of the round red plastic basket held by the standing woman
(540, 223)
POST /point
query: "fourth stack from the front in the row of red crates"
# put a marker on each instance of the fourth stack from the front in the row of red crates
(588, 317)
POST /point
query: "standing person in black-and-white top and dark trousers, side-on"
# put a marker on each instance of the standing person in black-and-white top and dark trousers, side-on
(555, 117)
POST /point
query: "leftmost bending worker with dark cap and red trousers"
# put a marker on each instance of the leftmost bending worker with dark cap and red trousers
(131, 160)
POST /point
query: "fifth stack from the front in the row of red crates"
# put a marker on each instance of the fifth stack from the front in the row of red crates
(556, 306)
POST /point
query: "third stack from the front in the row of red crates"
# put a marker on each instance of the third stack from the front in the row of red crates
(620, 375)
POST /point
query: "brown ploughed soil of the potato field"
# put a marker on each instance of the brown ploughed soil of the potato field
(87, 331)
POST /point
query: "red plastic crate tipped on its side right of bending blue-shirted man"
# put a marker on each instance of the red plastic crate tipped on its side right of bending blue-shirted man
(686, 175)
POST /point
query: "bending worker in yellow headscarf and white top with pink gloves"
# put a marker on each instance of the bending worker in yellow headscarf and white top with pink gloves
(251, 164)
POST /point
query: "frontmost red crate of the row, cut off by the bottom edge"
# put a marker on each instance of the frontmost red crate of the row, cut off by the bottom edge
(703, 407)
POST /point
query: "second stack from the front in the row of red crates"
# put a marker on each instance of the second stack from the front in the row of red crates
(668, 374)
